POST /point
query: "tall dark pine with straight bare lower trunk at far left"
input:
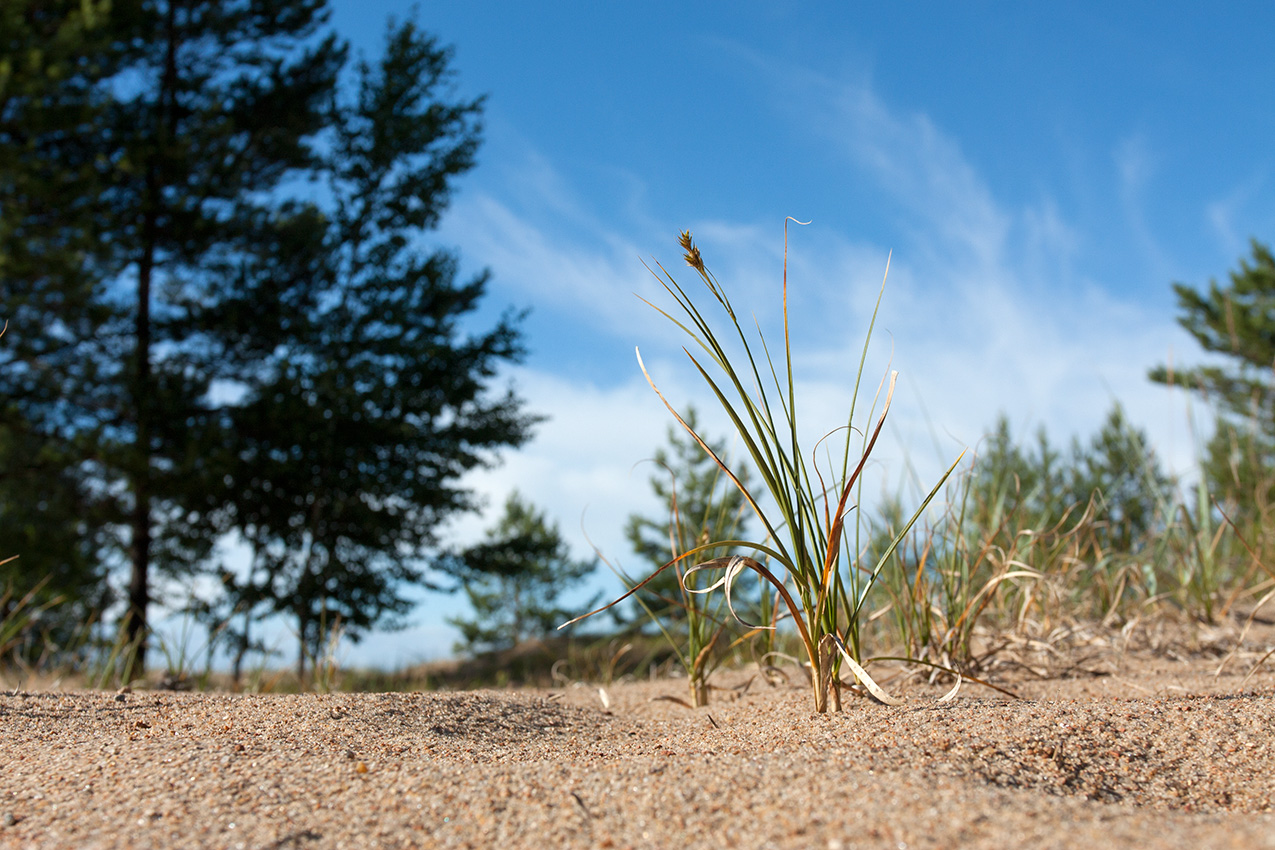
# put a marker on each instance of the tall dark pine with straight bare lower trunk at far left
(140, 150)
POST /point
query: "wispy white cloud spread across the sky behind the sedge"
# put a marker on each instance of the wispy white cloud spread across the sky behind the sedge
(984, 314)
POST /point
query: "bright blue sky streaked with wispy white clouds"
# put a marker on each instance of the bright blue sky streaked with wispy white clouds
(1041, 173)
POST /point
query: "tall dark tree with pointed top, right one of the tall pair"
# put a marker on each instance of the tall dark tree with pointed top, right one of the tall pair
(364, 401)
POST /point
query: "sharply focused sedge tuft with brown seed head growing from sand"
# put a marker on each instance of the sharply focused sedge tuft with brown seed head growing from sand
(812, 560)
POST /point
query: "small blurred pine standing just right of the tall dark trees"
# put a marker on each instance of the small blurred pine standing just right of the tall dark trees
(514, 578)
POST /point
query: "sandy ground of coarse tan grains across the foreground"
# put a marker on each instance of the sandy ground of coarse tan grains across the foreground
(1138, 753)
